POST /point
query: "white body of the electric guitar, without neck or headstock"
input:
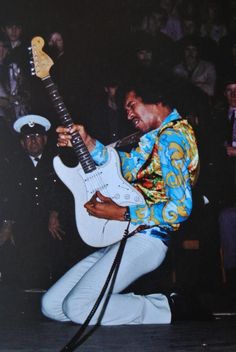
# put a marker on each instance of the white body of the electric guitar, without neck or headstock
(109, 181)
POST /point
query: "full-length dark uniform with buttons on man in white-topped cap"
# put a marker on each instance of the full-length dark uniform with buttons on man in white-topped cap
(33, 194)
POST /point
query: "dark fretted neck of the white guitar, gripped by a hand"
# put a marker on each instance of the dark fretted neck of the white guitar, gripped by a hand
(80, 148)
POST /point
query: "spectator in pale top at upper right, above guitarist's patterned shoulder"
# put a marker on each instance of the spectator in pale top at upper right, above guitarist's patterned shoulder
(200, 72)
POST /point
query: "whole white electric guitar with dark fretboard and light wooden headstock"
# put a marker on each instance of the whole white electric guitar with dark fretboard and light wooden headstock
(87, 178)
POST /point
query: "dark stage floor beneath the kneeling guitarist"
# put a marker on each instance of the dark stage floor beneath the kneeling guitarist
(23, 328)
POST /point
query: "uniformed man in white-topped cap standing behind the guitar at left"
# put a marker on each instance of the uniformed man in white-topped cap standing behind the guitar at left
(33, 198)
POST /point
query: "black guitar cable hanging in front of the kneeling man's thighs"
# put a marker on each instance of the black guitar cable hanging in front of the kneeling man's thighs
(79, 337)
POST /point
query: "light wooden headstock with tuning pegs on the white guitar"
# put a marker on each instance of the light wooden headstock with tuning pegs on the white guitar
(41, 61)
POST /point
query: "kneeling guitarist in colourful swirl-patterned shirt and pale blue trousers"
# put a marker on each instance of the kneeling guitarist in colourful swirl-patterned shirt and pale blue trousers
(163, 169)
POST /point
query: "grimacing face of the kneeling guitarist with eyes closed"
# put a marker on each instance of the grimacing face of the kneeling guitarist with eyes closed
(143, 116)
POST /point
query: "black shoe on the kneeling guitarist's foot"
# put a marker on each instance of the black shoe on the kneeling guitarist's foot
(187, 307)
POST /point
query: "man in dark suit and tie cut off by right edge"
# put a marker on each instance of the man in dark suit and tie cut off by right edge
(222, 142)
